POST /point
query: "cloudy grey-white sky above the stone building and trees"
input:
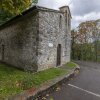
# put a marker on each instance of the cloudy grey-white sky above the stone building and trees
(81, 10)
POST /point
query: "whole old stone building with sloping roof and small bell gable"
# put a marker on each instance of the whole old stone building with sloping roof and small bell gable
(37, 39)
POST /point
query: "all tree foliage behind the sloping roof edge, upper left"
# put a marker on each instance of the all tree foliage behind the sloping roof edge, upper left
(10, 8)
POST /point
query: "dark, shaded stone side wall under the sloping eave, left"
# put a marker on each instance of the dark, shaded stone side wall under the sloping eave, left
(18, 42)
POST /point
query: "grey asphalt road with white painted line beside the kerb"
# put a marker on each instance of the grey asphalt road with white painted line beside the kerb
(86, 86)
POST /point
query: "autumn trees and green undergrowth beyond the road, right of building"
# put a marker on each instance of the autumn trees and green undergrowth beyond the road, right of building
(86, 41)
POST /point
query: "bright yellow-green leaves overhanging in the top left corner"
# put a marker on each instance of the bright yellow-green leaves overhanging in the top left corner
(15, 6)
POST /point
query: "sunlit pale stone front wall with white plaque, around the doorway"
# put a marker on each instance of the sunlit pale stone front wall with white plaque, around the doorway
(52, 31)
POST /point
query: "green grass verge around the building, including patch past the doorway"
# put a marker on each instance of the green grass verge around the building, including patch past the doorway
(13, 81)
